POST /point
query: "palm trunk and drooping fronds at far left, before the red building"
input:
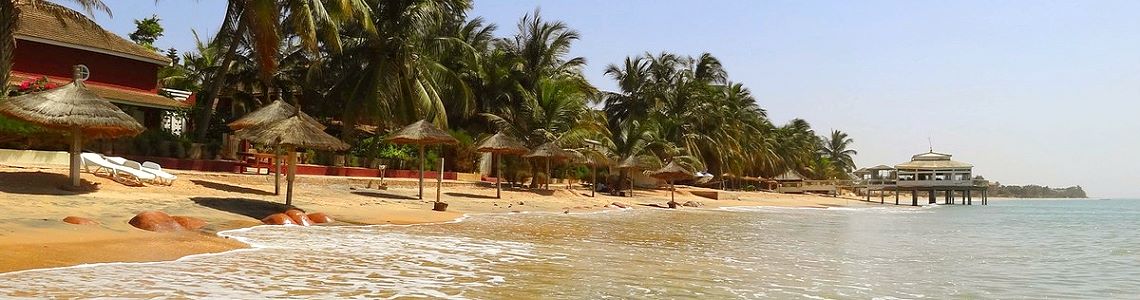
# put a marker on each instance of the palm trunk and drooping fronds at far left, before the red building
(10, 22)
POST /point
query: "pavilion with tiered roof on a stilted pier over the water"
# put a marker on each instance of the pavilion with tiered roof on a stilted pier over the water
(932, 175)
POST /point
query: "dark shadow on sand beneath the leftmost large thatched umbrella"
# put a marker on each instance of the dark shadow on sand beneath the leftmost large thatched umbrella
(43, 184)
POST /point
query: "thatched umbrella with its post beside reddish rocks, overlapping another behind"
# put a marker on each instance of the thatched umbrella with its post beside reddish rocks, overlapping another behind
(292, 133)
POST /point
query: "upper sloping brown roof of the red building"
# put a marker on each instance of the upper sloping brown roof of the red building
(40, 27)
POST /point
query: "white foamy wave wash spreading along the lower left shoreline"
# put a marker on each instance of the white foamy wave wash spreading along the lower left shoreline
(363, 262)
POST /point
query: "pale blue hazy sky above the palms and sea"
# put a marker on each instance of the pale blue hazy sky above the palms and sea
(1029, 92)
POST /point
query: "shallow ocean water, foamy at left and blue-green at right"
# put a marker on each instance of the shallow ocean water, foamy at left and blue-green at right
(1007, 250)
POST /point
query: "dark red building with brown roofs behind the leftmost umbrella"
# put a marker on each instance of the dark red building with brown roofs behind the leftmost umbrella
(121, 71)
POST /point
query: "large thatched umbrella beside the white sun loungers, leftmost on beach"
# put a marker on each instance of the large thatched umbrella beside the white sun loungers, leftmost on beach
(76, 110)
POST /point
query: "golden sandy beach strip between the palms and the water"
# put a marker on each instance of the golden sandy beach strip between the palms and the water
(34, 236)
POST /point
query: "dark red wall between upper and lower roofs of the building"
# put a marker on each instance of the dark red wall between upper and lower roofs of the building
(54, 61)
